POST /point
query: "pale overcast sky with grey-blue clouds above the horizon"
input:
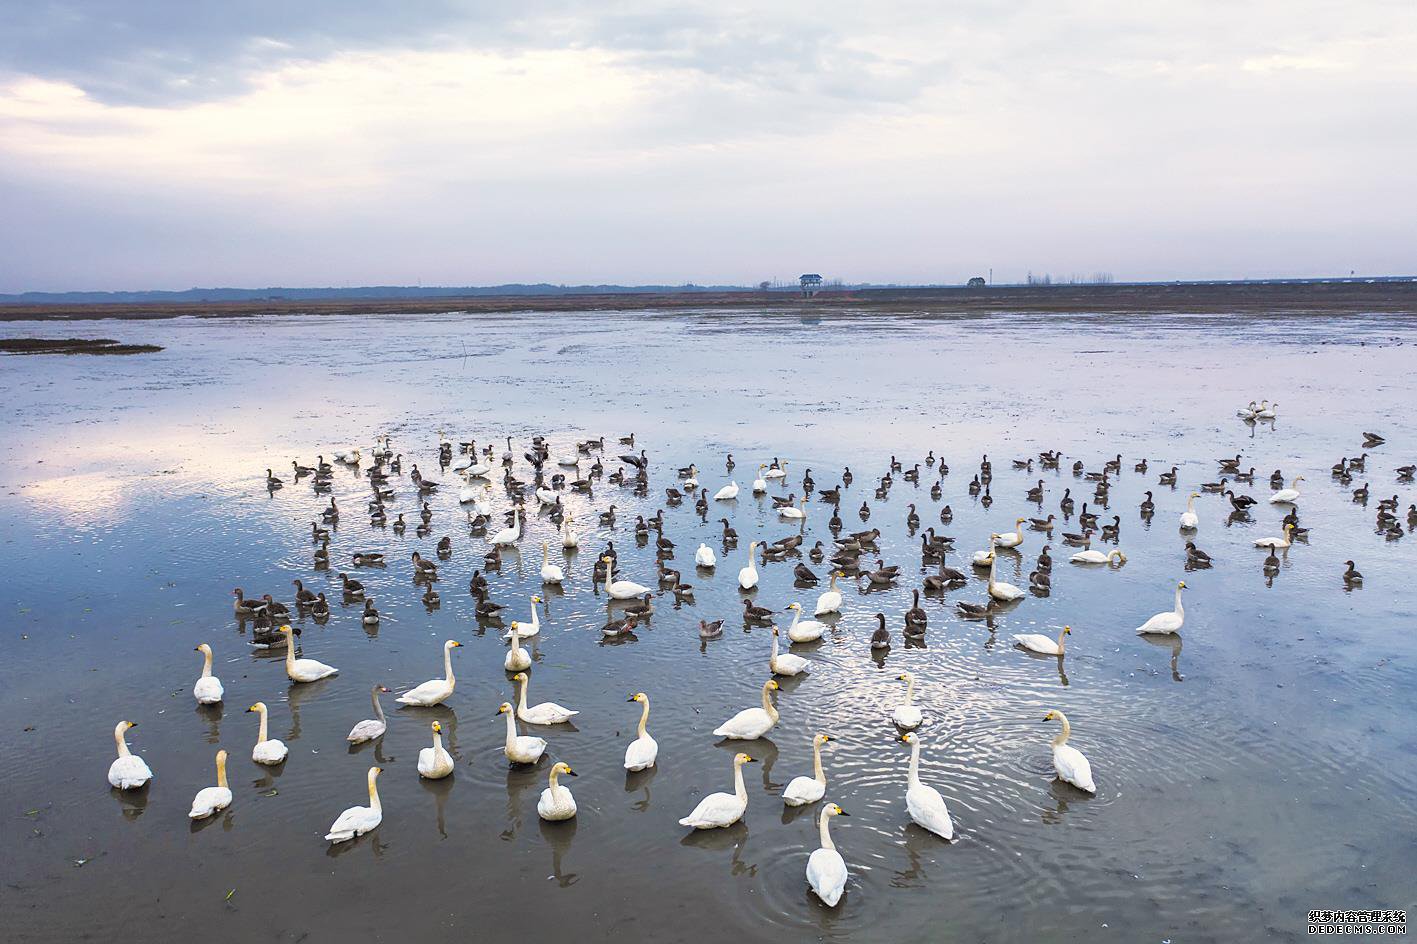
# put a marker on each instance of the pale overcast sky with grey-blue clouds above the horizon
(172, 144)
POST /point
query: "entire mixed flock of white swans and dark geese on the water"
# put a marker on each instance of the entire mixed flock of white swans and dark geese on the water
(562, 488)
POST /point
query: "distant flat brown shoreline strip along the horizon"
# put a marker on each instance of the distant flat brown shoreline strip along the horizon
(1228, 298)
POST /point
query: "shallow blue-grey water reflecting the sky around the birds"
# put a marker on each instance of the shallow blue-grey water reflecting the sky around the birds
(1262, 768)
